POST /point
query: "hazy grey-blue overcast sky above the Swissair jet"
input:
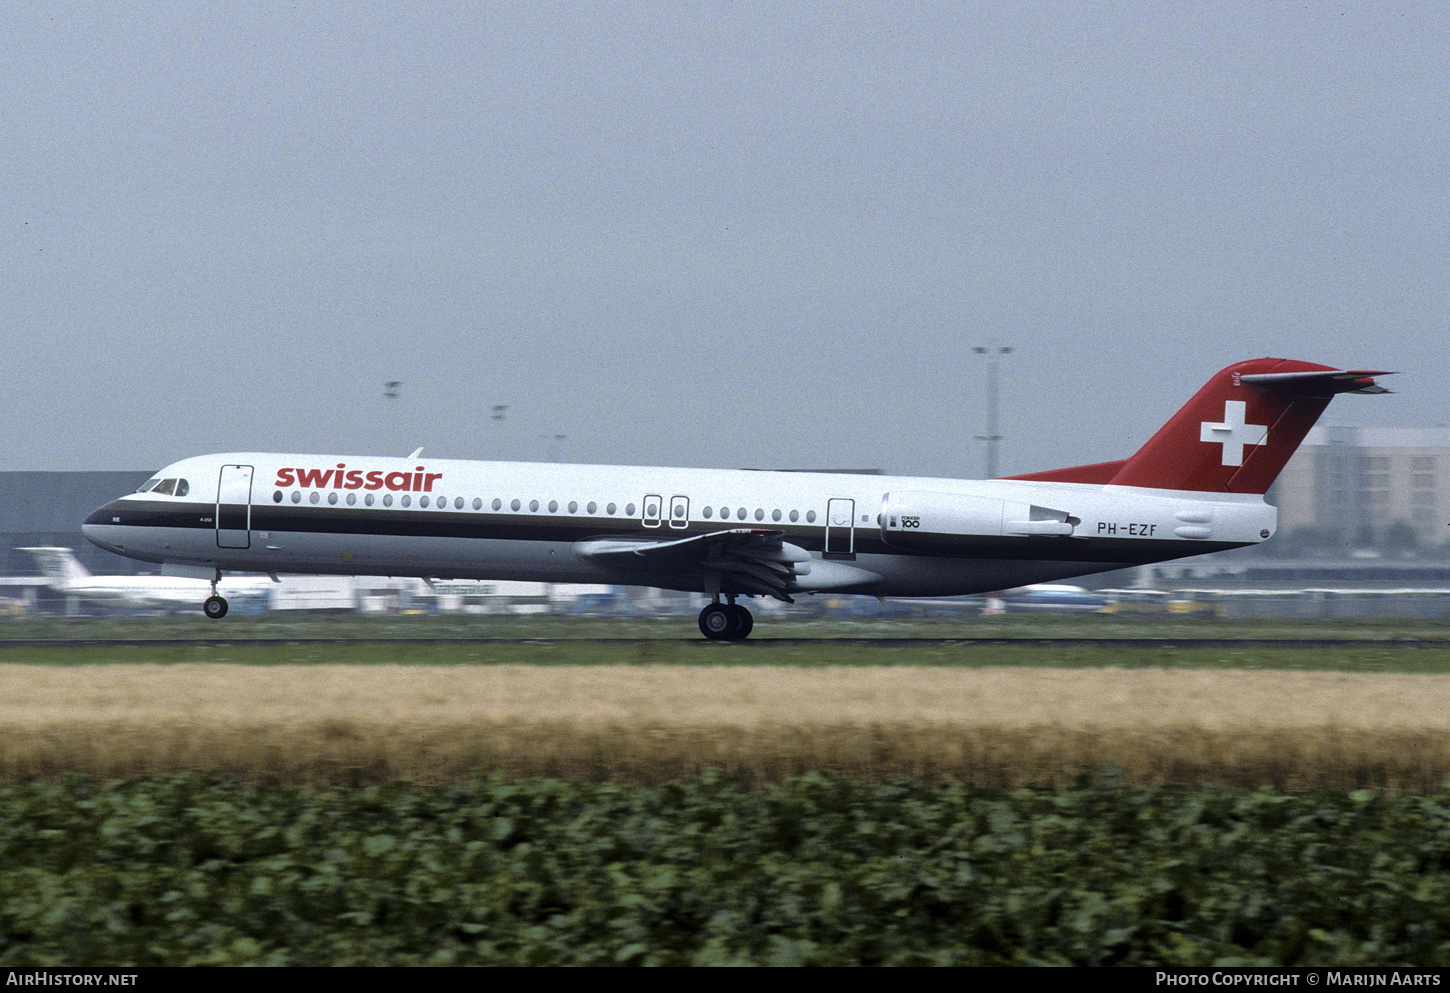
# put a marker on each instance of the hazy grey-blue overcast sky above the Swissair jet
(707, 234)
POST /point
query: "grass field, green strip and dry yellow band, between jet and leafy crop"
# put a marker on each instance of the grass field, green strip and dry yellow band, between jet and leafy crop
(662, 705)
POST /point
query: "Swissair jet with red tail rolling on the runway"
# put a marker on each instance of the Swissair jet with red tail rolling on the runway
(1196, 488)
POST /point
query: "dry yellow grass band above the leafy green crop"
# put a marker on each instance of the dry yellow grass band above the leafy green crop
(1003, 727)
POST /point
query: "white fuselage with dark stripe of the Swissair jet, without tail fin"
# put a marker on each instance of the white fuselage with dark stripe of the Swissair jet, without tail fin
(546, 523)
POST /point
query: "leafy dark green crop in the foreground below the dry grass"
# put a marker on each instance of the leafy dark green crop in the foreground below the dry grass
(819, 872)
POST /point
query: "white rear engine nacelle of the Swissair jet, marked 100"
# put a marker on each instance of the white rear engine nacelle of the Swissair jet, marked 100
(948, 523)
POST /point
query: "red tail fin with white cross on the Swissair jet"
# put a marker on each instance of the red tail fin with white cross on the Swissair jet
(1236, 434)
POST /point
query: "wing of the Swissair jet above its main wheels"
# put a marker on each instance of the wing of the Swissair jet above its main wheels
(745, 560)
